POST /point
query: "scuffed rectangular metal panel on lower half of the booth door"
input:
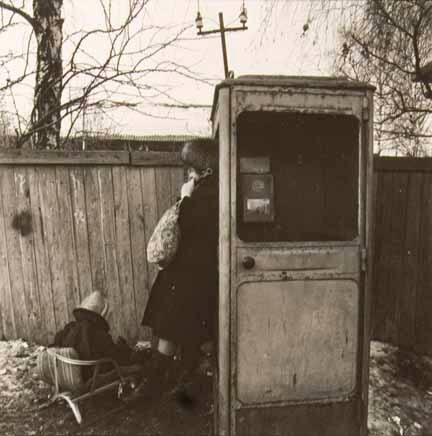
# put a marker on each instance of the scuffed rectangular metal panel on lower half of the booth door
(297, 340)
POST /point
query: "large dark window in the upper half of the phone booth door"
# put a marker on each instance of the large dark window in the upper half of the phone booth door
(298, 177)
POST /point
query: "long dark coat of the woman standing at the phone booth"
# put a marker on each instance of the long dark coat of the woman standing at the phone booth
(183, 301)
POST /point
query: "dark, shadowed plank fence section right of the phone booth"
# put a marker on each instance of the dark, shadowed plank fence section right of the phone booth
(402, 290)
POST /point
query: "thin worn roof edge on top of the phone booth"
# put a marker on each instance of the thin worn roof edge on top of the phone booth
(322, 82)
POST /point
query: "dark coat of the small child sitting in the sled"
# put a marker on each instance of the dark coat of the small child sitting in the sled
(89, 336)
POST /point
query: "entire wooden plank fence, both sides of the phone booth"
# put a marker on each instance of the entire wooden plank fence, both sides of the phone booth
(75, 222)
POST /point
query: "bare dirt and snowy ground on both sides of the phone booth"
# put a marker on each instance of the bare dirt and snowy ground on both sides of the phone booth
(400, 401)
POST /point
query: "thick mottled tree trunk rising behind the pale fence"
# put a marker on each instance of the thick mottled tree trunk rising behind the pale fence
(46, 119)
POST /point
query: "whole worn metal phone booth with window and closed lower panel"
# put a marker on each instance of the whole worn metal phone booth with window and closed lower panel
(295, 239)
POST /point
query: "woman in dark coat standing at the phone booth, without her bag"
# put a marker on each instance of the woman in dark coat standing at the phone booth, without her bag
(182, 308)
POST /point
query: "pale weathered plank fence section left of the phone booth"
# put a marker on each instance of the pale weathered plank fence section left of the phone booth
(71, 223)
